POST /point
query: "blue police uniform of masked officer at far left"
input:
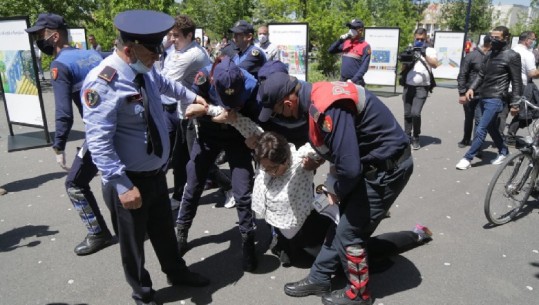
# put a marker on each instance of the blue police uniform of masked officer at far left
(68, 71)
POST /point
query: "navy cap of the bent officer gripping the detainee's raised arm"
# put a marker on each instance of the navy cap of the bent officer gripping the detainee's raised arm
(228, 81)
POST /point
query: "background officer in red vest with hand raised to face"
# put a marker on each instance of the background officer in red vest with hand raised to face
(356, 53)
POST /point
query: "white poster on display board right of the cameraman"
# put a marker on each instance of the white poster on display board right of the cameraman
(449, 48)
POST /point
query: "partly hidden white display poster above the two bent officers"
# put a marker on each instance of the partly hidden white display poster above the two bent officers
(292, 41)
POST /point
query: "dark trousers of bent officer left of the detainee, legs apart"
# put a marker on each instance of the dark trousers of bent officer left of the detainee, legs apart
(203, 154)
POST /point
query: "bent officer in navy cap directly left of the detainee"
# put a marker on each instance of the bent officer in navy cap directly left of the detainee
(233, 88)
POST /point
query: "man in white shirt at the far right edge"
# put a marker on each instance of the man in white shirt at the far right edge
(526, 43)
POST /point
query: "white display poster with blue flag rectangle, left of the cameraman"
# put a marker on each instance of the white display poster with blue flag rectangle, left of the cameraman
(384, 44)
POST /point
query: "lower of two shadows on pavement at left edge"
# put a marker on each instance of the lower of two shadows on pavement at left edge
(12, 239)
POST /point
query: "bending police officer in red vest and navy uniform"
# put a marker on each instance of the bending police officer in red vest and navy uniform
(371, 164)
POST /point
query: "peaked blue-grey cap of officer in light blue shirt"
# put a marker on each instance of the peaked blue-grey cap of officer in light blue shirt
(144, 27)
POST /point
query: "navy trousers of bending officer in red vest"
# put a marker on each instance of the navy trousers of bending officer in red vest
(361, 212)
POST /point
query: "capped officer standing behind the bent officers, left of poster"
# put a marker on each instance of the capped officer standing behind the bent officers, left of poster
(248, 56)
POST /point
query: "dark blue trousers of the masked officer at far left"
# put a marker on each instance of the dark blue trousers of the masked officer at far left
(77, 184)
